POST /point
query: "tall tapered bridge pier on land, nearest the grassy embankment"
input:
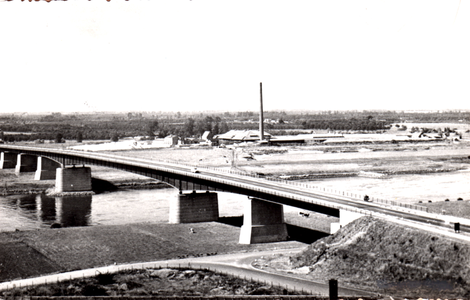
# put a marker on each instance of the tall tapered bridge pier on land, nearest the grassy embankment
(263, 222)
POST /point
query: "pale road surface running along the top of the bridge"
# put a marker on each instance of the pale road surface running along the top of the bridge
(287, 191)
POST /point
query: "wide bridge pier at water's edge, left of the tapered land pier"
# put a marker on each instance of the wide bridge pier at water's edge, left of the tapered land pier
(194, 207)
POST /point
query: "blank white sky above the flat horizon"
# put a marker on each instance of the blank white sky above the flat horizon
(186, 55)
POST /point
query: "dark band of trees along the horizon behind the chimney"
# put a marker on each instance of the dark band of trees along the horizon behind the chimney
(113, 126)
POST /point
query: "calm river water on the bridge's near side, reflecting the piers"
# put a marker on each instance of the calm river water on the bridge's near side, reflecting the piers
(25, 212)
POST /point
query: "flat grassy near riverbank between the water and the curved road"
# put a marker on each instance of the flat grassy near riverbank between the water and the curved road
(31, 253)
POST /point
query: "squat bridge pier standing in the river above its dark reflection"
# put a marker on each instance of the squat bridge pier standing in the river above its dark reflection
(73, 179)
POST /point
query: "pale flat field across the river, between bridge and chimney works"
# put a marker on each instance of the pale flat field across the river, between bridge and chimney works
(407, 158)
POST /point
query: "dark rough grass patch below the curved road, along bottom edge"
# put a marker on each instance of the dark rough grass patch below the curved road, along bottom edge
(154, 282)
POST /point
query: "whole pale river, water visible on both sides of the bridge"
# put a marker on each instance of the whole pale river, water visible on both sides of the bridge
(26, 212)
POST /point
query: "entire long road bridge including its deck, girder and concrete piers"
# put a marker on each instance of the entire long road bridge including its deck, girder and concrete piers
(197, 200)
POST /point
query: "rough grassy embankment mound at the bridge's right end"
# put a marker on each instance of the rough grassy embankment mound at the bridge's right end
(381, 256)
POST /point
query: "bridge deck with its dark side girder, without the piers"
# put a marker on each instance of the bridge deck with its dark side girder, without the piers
(280, 191)
